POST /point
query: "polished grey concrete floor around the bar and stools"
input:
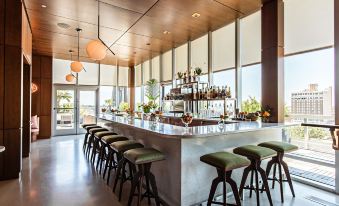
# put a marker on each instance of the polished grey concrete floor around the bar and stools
(57, 173)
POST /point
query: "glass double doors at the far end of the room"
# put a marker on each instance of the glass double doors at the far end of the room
(73, 106)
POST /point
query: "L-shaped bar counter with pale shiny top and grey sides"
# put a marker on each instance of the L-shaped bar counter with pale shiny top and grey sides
(182, 179)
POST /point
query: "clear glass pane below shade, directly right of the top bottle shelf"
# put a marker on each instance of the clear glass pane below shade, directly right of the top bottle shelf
(225, 78)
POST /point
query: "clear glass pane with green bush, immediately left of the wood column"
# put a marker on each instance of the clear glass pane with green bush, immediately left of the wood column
(251, 88)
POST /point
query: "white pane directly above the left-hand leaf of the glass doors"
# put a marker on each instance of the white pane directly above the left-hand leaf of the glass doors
(60, 69)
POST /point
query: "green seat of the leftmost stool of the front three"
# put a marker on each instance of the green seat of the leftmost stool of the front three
(225, 160)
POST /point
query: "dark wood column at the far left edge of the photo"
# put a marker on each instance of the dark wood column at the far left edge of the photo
(11, 62)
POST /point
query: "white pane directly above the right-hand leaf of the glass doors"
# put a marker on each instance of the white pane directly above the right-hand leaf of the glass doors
(90, 76)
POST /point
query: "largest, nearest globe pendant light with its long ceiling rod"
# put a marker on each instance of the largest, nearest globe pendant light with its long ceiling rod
(96, 49)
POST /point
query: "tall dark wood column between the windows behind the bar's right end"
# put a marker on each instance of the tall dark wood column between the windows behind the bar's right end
(273, 58)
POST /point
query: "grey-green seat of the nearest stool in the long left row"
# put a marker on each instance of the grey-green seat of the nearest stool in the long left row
(143, 155)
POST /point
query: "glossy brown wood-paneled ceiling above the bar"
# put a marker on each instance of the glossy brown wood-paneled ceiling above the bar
(116, 16)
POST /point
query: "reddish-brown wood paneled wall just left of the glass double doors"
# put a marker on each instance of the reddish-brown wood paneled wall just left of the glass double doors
(42, 99)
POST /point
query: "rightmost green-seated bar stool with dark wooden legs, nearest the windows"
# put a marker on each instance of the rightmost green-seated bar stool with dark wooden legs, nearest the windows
(281, 148)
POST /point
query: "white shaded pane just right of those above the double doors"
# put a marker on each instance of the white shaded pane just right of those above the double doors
(108, 75)
